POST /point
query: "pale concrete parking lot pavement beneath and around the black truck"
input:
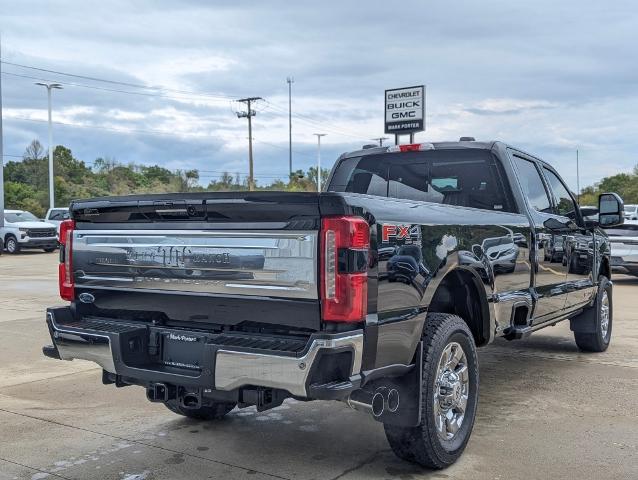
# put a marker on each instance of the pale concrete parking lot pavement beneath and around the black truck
(546, 411)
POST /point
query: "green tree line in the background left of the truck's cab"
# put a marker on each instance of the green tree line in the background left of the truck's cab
(26, 184)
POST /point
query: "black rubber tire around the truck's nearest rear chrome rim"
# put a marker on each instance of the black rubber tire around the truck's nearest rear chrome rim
(422, 444)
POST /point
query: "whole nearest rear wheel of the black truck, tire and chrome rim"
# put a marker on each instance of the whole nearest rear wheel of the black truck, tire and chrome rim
(449, 396)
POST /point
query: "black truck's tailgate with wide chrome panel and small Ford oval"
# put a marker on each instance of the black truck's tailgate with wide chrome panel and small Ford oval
(222, 259)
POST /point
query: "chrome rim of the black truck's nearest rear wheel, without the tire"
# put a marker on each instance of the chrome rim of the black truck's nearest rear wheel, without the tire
(451, 391)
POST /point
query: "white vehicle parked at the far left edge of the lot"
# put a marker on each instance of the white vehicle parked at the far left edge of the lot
(22, 229)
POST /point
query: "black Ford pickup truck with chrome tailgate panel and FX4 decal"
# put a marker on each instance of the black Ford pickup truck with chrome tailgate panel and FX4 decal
(375, 292)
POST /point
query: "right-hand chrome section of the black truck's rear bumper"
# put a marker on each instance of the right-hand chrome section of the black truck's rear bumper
(238, 369)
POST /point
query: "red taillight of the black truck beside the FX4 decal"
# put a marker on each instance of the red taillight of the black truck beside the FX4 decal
(344, 258)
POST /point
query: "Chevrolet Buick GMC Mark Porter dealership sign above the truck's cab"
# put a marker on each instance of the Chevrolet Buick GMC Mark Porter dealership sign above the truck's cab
(405, 110)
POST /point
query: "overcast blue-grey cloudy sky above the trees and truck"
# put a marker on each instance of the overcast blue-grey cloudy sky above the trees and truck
(547, 76)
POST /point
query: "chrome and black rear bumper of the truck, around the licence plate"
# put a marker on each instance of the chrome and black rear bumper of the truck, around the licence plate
(222, 367)
